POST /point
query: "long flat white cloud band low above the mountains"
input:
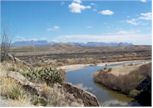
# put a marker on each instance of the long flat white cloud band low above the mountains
(132, 38)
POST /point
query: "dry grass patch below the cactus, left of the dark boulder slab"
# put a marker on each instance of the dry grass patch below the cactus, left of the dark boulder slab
(56, 96)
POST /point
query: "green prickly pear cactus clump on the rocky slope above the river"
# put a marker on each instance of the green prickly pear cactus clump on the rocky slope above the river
(48, 75)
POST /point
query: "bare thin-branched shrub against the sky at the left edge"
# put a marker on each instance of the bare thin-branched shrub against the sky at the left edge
(5, 46)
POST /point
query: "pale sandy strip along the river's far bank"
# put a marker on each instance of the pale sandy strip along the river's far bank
(73, 67)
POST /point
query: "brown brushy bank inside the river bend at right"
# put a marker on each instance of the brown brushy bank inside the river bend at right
(128, 82)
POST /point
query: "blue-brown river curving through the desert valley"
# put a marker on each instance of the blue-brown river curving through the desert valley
(106, 97)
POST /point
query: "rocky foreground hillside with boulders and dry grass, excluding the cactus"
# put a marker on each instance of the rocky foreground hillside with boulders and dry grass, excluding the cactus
(18, 90)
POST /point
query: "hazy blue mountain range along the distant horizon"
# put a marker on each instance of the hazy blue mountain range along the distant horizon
(88, 44)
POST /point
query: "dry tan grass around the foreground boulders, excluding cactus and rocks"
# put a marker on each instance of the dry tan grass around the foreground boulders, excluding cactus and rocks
(16, 95)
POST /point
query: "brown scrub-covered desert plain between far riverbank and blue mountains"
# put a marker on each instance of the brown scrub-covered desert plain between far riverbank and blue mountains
(65, 54)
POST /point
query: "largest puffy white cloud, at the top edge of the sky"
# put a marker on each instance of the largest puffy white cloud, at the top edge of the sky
(76, 7)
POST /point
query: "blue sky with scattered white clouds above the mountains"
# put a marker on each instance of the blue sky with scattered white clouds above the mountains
(78, 20)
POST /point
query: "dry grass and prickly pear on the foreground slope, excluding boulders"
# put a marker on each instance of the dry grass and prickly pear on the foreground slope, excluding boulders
(52, 92)
